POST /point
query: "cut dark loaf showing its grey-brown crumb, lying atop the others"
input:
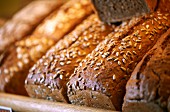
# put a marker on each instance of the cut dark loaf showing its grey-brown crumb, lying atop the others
(111, 11)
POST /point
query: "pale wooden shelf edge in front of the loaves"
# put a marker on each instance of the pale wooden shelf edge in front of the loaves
(26, 104)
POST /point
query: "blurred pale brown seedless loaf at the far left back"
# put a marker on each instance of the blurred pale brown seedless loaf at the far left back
(24, 22)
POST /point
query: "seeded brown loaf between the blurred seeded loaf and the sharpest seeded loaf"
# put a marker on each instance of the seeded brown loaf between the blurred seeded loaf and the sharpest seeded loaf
(48, 77)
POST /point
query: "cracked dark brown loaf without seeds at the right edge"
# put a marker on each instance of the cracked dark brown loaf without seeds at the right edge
(148, 88)
